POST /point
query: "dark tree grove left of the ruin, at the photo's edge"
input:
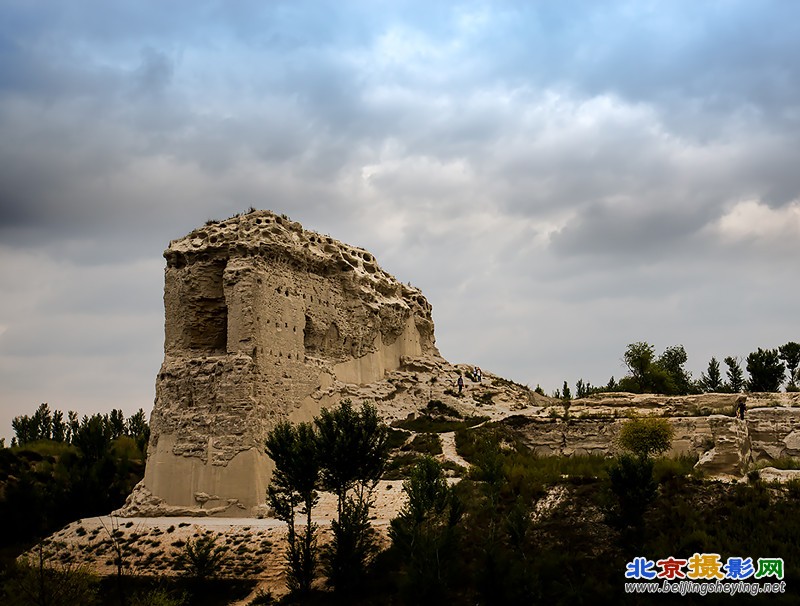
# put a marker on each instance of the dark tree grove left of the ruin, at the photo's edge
(60, 469)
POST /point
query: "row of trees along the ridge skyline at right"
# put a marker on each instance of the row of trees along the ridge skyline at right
(767, 370)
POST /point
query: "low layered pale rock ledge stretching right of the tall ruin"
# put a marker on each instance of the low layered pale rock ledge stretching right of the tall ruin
(704, 426)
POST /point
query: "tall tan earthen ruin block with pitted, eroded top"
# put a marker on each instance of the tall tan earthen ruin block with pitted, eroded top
(264, 321)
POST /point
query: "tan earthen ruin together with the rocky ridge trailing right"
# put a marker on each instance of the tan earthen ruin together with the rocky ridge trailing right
(266, 321)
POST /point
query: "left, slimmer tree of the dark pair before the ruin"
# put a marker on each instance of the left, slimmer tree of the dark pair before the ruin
(294, 483)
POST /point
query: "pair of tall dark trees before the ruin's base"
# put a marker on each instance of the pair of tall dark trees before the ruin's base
(343, 451)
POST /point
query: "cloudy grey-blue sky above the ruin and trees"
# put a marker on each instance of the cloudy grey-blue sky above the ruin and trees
(560, 179)
